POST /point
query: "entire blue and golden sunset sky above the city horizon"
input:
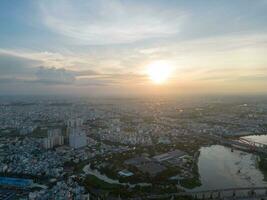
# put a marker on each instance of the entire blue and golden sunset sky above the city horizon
(105, 47)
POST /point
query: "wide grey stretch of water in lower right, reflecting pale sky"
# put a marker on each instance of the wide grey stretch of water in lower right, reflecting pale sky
(220, 168)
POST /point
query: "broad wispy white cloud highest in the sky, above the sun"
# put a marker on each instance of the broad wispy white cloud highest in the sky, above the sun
(110, 22)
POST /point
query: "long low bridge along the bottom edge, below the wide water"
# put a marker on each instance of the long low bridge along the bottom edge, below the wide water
(219, 194)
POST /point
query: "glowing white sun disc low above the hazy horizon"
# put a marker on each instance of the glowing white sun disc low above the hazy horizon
(159, 72)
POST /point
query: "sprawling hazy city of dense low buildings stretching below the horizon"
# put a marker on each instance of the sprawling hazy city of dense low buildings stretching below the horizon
(54, 148)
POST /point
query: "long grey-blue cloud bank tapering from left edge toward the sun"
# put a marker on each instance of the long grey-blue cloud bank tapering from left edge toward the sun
(20, 72)
